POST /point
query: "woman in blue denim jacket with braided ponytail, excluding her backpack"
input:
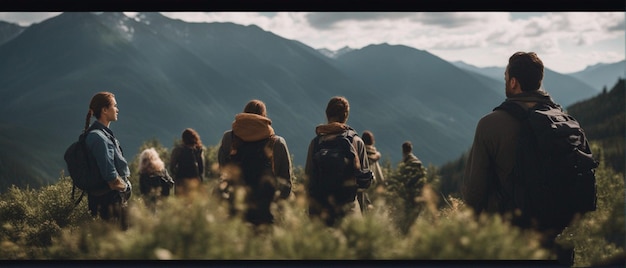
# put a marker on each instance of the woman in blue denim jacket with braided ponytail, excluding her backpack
(110, 203)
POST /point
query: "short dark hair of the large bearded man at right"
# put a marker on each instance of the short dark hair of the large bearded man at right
(527, 68)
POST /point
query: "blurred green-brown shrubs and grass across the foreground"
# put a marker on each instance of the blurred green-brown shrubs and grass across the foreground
(406, 223)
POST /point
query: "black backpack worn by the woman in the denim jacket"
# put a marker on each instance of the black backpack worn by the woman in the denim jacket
(82, 165)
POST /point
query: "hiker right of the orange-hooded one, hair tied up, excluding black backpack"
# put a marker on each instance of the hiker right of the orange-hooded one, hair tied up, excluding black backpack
(330, 205)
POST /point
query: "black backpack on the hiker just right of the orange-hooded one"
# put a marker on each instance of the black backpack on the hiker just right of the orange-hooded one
(334, 171)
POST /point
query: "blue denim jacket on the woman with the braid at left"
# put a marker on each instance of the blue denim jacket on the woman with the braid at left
(108, 153)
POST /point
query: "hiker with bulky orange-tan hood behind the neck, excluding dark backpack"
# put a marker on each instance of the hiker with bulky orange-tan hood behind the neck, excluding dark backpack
(251, 126)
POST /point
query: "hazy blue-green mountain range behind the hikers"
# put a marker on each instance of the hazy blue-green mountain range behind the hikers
(168, 75)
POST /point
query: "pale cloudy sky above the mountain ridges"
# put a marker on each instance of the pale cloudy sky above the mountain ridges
(565, 41)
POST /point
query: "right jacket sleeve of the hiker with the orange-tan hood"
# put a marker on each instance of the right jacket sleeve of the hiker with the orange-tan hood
(282, 167)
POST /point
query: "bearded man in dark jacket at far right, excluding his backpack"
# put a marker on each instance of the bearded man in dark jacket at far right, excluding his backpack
(492, 156)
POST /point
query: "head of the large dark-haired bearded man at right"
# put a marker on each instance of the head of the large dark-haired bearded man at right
(523, 73)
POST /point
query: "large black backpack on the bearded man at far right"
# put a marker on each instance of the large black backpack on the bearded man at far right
(554, 172)
